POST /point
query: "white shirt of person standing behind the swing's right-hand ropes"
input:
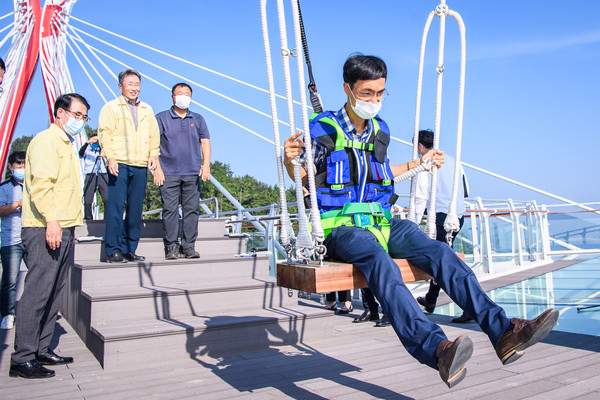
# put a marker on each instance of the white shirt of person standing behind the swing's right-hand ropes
(445, 180)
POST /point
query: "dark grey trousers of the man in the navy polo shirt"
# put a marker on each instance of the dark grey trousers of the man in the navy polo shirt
(184, 190)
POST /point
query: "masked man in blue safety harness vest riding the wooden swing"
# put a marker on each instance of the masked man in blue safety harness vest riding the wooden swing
(359, 174)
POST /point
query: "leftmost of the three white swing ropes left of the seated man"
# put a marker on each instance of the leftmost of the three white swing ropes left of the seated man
(287, 232)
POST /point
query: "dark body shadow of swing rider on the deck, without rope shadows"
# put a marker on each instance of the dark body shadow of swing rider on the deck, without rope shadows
(283, 370)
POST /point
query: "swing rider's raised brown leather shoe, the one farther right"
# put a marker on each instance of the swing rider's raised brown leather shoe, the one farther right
(526, 333)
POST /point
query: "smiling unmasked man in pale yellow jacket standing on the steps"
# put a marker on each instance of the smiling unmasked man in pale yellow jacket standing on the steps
(130, 140)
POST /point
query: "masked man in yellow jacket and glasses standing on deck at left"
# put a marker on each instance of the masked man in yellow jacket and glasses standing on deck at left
(51, 210)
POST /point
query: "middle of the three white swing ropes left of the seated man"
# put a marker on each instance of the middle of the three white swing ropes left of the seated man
(303, 240)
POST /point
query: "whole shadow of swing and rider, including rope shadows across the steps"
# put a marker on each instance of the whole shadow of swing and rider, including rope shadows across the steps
(218, 340)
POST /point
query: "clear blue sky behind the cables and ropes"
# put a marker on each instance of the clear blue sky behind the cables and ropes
(531, 97)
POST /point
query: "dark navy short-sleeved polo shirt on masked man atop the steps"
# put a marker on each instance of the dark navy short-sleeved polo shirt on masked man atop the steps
(180, 149)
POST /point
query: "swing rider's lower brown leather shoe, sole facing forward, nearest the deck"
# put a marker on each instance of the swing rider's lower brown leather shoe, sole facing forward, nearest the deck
(452, 357)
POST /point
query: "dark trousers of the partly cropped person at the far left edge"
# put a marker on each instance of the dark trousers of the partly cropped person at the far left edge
(11, 264)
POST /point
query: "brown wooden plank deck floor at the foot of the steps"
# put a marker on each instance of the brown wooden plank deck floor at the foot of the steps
(358, 362)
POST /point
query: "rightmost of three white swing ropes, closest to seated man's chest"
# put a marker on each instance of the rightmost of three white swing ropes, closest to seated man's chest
(315, 216)
